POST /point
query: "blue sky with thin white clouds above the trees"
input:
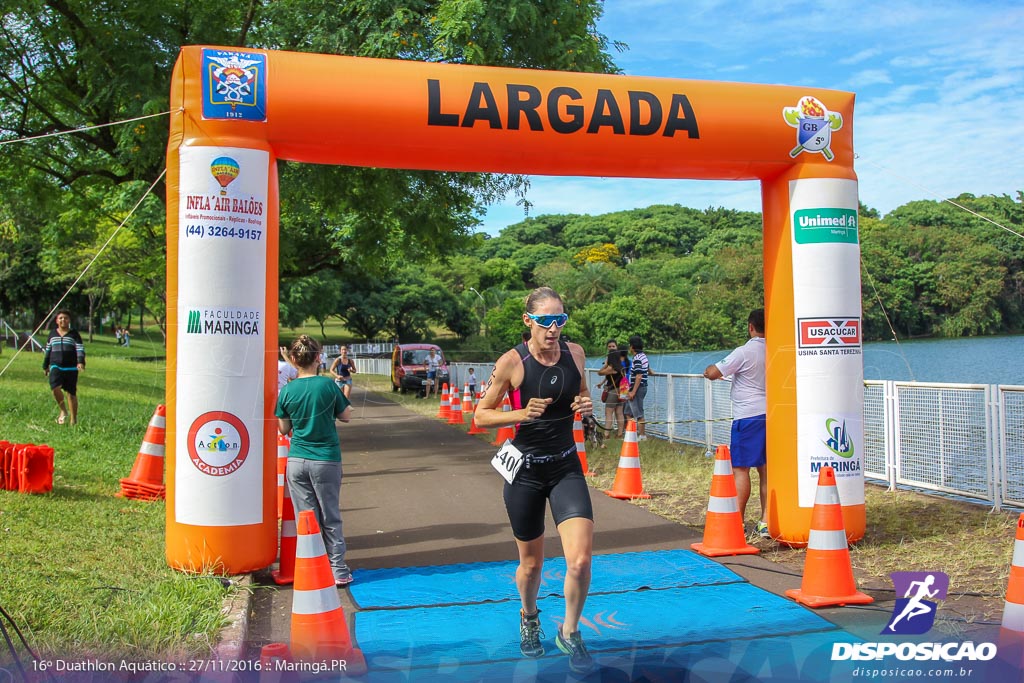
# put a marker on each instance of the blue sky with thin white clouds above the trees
(940, 87)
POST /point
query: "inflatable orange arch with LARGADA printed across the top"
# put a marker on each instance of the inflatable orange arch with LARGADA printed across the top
(237, 112)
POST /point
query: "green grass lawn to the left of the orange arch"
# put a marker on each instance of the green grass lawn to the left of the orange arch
(83, 572)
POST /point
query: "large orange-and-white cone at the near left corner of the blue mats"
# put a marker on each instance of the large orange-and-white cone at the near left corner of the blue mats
(319, 629)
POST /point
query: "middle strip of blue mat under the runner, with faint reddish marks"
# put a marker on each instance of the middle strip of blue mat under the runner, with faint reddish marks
(404, 639)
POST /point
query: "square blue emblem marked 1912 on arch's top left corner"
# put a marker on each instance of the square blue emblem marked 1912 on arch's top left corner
(234, 86)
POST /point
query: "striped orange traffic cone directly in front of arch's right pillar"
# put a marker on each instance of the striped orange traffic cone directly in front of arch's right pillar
(828, 573)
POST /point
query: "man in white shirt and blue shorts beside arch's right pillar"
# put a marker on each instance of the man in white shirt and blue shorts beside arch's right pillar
(748, 444)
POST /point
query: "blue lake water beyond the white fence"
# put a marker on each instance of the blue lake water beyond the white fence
(964, 361)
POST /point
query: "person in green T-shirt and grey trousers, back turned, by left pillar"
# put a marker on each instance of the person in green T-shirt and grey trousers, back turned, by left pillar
(308, 408)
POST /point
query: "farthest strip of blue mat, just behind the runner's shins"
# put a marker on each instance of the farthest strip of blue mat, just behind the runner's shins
(484, 582)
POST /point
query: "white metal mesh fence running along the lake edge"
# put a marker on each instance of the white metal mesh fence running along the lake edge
(961, 440)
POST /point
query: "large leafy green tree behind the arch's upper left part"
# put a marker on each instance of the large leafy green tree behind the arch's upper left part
(70, 64)
